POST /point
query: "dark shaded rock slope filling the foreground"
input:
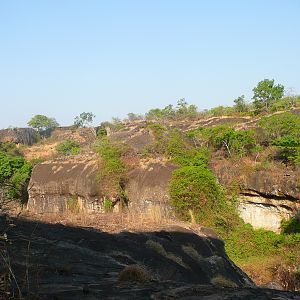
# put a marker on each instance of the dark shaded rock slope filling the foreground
(54, 261)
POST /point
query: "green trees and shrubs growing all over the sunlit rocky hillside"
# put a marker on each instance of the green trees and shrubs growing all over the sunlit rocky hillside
(194, 190)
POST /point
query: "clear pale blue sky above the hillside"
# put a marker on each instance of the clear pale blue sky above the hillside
(62, 57)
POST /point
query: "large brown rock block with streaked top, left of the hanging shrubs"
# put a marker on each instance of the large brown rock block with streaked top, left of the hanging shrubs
(65, 182)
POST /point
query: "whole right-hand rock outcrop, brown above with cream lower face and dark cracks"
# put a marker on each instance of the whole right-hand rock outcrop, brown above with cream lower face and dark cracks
(267, 196)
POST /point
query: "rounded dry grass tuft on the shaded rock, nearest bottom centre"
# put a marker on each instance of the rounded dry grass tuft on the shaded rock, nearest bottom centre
(135, 273)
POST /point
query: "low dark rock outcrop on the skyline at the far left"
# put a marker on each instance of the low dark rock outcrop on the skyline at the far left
(26, 136)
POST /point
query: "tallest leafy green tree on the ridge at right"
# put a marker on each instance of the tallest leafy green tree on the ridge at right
(266, 94)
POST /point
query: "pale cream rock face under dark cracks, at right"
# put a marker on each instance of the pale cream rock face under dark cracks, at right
(265, 213)
